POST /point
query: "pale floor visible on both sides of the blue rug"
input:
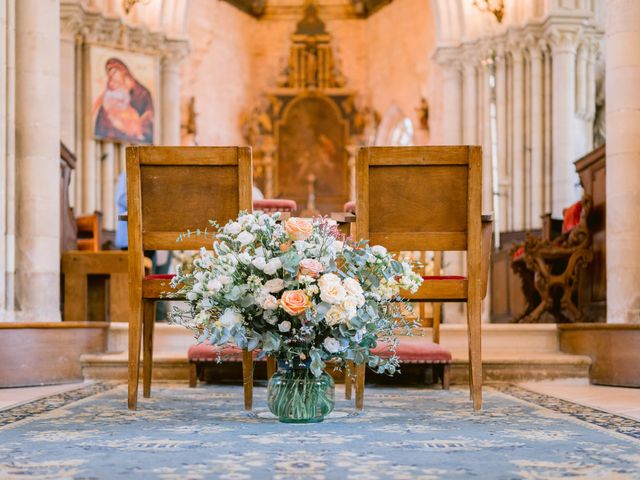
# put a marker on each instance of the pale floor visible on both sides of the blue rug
(616, 400)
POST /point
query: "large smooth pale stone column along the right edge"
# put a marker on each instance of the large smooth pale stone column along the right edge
(623, 160)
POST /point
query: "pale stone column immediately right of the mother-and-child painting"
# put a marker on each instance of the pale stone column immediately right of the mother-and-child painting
(170, 108)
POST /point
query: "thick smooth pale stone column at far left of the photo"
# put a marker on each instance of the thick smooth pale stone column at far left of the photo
(38, 159)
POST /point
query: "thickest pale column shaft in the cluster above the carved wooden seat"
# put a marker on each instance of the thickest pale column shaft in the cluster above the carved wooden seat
(564, 178)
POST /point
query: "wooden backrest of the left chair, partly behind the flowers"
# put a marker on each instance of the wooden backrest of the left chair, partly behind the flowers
(174, 189)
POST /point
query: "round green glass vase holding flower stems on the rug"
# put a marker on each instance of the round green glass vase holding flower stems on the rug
(295, 395)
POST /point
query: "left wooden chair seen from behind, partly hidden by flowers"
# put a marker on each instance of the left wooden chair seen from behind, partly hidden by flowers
(171, 190)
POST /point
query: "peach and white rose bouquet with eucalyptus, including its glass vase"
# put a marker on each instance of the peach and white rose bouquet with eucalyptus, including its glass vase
(302, 293)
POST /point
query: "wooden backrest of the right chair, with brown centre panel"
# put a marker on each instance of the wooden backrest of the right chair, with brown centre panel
(420, 198)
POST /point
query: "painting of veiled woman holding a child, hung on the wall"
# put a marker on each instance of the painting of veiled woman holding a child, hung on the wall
(123, 96)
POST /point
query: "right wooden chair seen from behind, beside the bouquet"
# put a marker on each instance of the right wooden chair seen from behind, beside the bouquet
(429, 198)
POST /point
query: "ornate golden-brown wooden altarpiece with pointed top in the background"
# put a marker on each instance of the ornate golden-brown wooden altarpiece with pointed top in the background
(306, 131)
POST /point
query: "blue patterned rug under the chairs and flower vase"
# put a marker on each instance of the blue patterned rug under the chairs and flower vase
(405, 433)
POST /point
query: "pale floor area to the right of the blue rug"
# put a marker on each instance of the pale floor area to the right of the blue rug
(617, 400)
